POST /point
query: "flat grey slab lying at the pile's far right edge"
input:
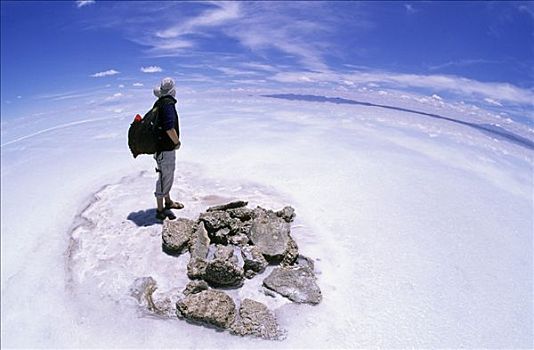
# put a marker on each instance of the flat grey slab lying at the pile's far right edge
(296, 283)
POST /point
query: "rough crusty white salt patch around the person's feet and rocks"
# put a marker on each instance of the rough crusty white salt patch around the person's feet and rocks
(108, 251)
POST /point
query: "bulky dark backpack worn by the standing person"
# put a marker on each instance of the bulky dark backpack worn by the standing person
(143, 134)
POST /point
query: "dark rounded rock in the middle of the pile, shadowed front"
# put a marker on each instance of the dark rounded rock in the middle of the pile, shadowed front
(225, 273)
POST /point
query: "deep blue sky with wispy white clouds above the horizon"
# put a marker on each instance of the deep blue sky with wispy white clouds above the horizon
(483, 49)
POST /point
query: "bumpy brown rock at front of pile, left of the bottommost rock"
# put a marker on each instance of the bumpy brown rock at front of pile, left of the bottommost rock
(209, 306)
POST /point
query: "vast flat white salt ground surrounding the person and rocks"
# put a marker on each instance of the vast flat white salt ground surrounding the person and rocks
(421, 228)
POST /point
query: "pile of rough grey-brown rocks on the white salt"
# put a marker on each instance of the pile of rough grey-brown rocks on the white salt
(229, 244)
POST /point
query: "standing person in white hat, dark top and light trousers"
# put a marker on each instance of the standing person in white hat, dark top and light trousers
(168, 141)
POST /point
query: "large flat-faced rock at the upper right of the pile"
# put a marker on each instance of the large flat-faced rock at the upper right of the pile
(270, 234)
